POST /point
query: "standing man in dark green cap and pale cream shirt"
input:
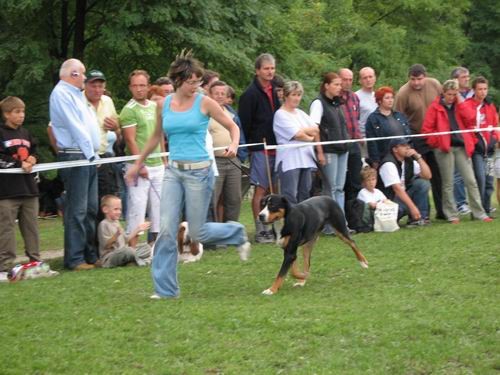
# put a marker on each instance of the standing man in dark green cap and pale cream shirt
(104, 108)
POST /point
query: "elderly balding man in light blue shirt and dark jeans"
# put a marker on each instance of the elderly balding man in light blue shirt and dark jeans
(76, 132)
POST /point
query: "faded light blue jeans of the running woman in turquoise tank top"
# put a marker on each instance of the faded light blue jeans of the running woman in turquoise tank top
(190, 191)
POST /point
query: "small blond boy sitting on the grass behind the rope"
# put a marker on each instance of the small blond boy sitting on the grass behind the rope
(114, 246)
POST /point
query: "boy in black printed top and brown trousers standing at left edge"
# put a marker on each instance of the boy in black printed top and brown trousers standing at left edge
(18, 192)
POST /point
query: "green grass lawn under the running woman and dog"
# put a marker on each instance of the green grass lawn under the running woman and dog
(428, 304)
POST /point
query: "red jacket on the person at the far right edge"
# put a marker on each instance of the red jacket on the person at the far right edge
(469, 113)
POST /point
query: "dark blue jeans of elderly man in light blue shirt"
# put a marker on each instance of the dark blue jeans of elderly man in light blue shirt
(80, 212)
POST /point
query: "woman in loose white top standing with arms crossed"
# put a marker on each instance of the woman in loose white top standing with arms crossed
(293, 126)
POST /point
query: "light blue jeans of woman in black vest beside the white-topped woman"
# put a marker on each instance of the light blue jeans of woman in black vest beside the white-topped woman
(335, 172)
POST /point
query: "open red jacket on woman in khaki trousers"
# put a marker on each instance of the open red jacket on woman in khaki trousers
(436, 120)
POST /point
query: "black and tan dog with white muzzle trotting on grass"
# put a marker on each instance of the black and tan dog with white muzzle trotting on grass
(302, 225)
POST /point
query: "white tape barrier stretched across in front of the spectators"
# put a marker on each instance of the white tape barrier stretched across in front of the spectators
(42, 167)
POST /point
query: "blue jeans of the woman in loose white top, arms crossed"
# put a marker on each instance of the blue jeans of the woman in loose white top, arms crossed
(296, 184)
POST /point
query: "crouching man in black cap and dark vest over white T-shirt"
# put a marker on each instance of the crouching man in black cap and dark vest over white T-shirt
(405, 177)
